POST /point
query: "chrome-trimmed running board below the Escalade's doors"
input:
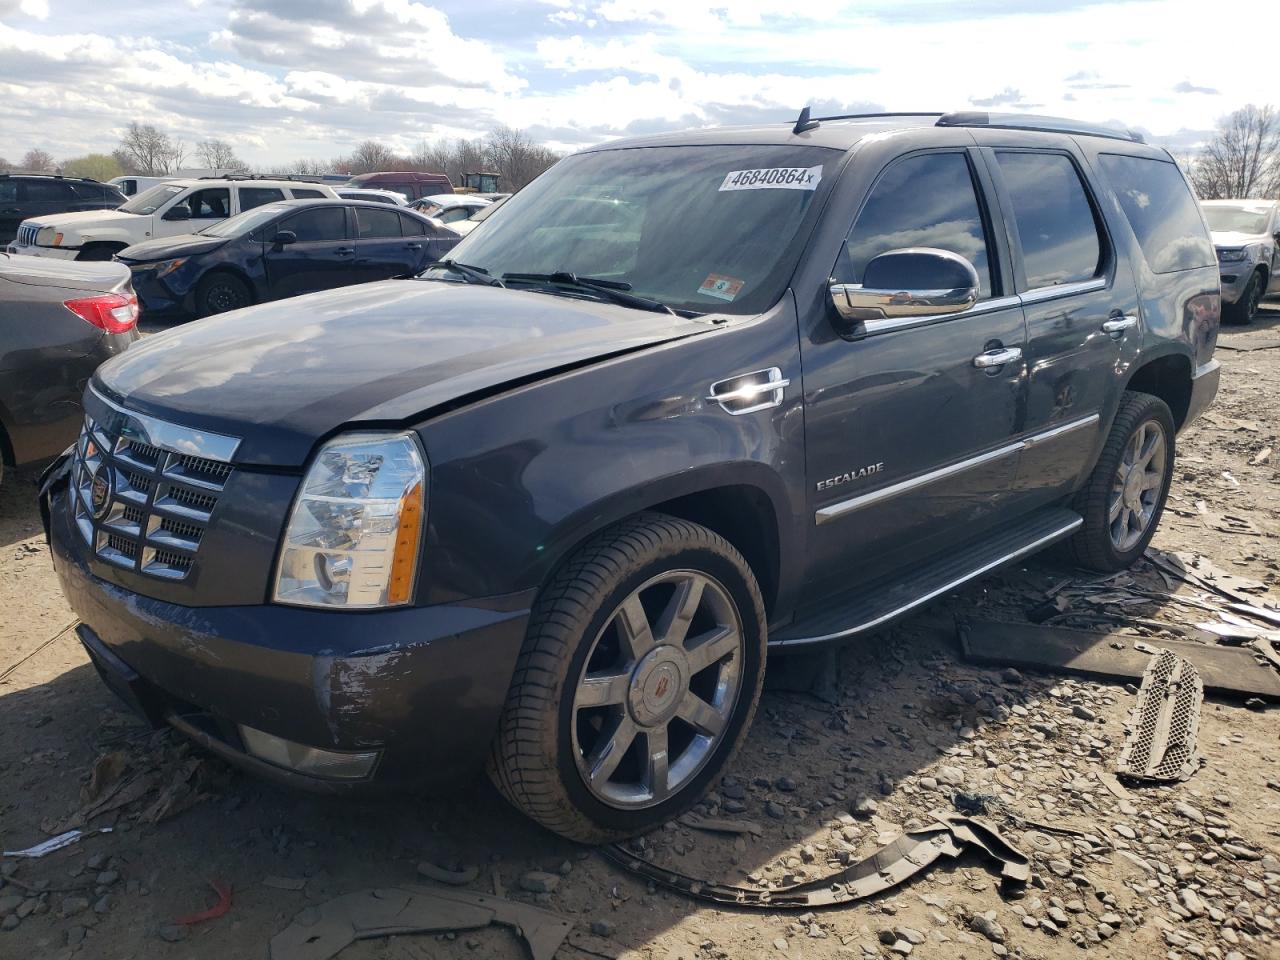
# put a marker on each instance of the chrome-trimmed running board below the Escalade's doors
(879, 602)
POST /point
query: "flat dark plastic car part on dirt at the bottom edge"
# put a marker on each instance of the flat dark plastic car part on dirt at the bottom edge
(323, 931)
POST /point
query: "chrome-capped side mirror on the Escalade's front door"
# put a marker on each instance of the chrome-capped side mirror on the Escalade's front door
(909, 282)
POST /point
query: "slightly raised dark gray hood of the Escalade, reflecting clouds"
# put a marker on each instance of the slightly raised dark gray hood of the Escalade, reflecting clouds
(281, 376)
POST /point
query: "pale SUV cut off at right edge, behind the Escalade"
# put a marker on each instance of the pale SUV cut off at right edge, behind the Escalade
(1247, 237)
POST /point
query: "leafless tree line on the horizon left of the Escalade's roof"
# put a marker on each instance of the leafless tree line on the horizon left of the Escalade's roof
(148, 152)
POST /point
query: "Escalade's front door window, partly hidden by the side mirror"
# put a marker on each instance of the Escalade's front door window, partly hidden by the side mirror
(924, 202)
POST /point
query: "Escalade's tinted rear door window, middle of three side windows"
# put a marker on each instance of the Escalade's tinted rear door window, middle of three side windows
(1057, 227)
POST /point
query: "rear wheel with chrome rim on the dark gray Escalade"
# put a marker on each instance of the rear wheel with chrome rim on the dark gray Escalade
(1122, 504)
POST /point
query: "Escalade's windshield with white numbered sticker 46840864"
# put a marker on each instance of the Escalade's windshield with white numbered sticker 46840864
(703, 228)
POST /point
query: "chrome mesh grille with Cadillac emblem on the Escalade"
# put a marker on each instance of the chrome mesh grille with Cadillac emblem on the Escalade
(154, 501)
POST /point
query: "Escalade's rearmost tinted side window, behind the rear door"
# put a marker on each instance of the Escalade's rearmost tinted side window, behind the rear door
(1160, 208)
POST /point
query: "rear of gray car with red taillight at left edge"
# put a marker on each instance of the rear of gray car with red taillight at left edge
(58, 322)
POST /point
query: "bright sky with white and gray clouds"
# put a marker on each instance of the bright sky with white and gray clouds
(312, 79)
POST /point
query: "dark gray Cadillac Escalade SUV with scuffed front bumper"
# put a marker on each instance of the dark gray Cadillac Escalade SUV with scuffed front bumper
(683, 401)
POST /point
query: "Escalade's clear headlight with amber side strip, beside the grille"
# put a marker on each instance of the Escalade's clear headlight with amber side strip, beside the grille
(353, 540)
